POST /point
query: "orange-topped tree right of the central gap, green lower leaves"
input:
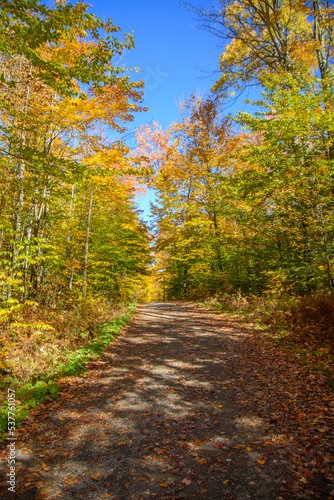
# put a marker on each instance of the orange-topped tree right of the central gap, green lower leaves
(192, 161)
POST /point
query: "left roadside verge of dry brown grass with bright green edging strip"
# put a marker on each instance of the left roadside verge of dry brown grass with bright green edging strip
(37, 358)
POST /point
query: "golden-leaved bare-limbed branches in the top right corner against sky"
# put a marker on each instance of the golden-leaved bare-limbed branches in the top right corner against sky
(268, 35)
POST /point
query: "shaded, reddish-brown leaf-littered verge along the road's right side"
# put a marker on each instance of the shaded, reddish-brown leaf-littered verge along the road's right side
(303, 326)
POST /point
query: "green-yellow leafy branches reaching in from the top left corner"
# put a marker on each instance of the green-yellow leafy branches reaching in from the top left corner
(28, 27)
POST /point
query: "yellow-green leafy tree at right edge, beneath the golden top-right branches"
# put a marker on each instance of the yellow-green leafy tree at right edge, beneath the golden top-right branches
(288, 182)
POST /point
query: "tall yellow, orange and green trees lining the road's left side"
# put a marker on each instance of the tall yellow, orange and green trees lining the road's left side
(61, 147)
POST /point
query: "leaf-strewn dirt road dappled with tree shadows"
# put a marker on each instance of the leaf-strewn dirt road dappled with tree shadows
(179, 406)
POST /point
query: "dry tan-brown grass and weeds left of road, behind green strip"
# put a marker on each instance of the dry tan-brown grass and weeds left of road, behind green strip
(47, 335)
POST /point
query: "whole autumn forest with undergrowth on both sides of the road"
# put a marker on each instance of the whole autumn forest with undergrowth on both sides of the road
(243, 210)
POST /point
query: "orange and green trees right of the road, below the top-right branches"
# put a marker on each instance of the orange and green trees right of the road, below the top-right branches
(253, 212)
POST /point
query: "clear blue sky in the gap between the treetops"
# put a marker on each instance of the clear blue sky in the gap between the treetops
(177, 57)
